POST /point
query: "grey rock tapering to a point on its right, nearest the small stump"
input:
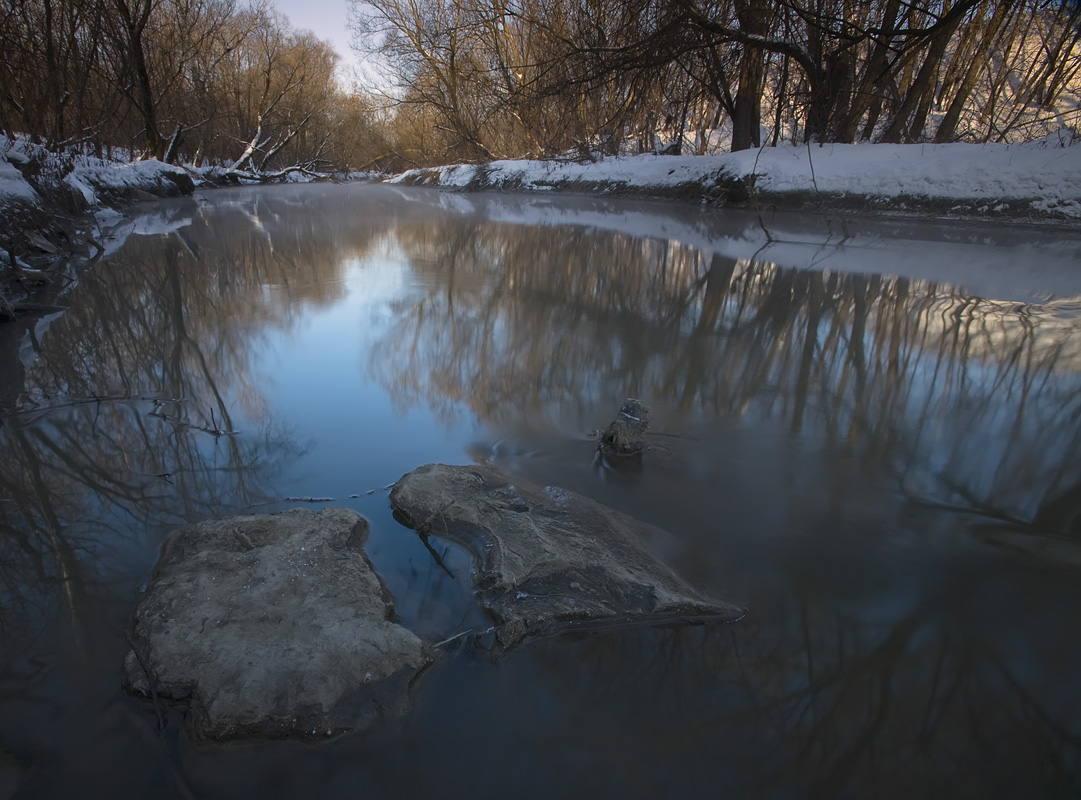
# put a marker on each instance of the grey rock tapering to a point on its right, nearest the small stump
(548, 559)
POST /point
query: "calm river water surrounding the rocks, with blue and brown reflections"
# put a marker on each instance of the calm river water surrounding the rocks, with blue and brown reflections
(873, 444)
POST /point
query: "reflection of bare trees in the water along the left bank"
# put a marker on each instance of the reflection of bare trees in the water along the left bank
(141, 414)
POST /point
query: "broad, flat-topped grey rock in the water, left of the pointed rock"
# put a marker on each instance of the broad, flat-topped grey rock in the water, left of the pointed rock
(273, 625)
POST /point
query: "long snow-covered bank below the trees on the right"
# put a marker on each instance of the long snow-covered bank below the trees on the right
(1038, 180)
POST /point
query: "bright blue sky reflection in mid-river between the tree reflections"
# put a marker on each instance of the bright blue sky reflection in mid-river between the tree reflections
(316, 384)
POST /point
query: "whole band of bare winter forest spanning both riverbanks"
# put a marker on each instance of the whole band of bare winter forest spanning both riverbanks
(219, 83)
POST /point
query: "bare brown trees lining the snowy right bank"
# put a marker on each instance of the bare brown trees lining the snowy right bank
(483, 78)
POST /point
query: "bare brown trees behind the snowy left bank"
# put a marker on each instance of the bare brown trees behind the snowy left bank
(206, 82)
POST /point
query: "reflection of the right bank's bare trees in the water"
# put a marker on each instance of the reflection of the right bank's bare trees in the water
(965, 401)
